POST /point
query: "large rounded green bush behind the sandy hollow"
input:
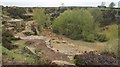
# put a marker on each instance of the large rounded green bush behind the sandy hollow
(76, 24)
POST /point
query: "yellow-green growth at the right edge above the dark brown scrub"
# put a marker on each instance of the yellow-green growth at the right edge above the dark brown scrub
(112, 34)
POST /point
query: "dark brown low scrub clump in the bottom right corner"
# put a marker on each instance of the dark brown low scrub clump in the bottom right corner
(92, 58)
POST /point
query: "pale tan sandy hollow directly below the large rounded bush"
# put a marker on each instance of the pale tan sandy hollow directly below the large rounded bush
(68, 46)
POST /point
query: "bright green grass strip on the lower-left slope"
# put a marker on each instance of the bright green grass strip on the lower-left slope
(16, 55)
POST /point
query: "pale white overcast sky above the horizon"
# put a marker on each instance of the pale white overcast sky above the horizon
(55, 3)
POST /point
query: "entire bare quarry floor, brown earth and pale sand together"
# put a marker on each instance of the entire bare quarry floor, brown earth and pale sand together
(57, 47)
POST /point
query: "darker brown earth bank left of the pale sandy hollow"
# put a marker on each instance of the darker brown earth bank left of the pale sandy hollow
(47, 53)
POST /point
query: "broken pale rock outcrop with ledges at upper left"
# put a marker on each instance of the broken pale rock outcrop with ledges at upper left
(18, 25)
